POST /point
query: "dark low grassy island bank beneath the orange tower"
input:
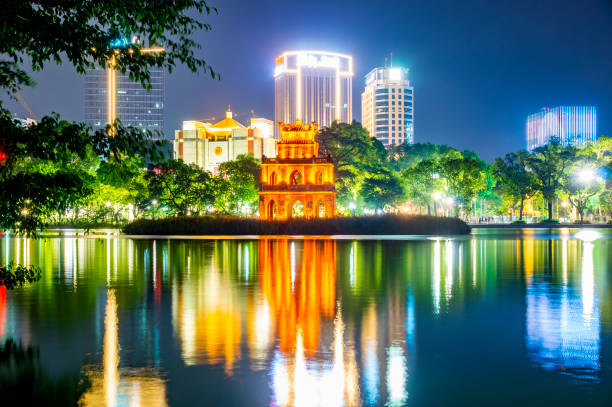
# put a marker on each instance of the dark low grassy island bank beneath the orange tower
(367, 225)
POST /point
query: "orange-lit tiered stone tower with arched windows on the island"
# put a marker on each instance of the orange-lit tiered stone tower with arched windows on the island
(297, 183)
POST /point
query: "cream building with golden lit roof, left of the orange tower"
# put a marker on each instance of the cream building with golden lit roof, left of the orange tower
(209, 145)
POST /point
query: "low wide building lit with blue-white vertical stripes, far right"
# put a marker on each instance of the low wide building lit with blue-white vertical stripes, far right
(572, 125)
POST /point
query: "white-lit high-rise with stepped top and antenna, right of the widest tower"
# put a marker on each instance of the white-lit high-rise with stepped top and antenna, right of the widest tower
(387, 106)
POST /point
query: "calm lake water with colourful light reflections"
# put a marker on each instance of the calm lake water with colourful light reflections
(501, 317)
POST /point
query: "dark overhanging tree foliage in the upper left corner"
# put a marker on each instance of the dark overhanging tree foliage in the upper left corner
(85, 33)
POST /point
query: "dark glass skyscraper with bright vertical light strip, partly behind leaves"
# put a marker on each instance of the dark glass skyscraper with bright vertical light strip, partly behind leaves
(133, 104)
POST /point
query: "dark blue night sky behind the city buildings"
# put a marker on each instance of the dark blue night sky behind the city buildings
(478, 67)
